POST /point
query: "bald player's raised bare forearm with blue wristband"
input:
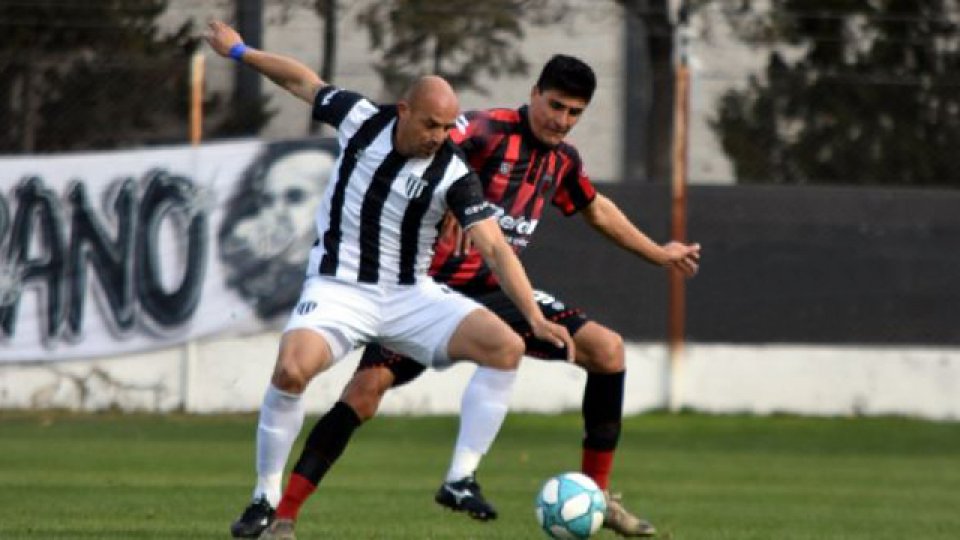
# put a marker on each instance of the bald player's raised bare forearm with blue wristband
(286, 72)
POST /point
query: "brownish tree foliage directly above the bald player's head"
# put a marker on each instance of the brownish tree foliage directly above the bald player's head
(457, 39)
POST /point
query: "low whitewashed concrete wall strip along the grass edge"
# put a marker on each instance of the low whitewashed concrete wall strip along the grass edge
(229, 375)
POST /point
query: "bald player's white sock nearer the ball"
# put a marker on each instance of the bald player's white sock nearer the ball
(482, 410)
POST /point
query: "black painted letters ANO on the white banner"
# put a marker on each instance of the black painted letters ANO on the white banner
(65, 247)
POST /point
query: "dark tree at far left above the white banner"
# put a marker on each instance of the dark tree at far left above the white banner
(80, 75)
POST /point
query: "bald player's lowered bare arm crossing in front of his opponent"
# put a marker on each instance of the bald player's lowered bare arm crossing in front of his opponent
(487, 237)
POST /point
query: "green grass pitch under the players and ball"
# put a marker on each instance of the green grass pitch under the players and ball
(65, 476)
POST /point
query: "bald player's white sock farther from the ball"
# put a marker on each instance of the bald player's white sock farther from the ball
(281, 417)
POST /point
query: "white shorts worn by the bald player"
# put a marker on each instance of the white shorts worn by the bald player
(414, 320)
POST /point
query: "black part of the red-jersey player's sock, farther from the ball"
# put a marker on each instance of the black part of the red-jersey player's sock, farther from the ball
(326, 442)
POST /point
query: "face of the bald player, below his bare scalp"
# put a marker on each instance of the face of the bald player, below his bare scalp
(421, 130)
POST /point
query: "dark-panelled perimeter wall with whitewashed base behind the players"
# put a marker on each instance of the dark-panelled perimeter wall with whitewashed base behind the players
(810, 300)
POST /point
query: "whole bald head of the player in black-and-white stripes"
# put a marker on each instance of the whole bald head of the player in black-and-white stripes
(427, 113)
